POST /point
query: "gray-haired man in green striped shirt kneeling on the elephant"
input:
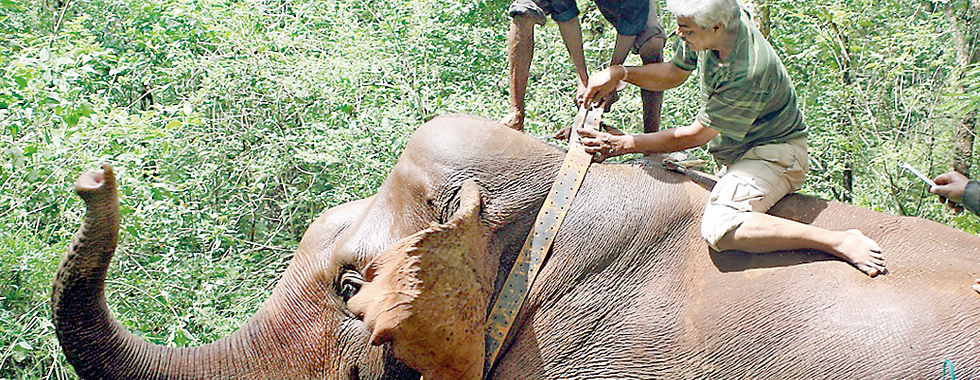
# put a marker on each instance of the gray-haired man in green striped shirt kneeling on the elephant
(751, 123)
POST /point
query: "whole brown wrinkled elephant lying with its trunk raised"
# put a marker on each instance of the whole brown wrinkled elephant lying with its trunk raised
(398, 285)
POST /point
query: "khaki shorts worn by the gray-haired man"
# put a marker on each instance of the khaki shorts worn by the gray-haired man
(753, 183)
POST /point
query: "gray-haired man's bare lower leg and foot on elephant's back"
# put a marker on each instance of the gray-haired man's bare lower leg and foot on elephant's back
(762, 233)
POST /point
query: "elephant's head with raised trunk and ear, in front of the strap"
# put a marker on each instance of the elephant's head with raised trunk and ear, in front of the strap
(311, 327)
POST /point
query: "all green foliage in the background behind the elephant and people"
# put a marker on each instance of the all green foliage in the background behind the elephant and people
(232, 124)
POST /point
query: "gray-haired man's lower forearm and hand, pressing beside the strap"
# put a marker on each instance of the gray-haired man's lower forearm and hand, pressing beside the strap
(665, 141)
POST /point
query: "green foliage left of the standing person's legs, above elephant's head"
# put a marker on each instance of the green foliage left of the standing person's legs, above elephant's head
(231, 125)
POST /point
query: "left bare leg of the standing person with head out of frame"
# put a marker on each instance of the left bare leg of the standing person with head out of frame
(520, 49)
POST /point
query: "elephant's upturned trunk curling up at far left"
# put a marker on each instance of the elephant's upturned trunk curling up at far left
(95, 343)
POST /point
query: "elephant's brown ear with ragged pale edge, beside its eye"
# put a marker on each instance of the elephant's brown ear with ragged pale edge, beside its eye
(428, 295)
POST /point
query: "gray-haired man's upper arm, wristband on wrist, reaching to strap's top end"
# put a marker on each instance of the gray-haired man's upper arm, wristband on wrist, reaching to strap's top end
(654, 77)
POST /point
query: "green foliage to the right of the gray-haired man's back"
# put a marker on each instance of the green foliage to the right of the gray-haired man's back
(878, 85)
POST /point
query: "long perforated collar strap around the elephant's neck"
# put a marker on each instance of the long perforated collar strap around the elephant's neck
(534, 252)
